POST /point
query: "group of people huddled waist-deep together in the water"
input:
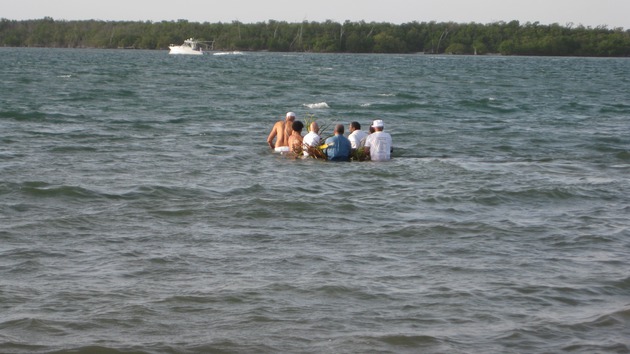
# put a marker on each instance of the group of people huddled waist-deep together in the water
(286, 137)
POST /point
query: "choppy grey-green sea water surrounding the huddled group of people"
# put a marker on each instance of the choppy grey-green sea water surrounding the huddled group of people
(141, 210)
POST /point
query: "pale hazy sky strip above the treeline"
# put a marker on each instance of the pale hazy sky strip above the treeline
(612, 13)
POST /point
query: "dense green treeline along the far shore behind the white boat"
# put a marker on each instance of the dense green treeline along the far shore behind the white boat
(511, 38)
